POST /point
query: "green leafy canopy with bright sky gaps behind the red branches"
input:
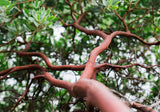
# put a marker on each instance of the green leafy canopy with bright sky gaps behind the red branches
(36, 21)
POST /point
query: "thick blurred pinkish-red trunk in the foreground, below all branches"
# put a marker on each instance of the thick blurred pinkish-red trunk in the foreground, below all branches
(98, 95)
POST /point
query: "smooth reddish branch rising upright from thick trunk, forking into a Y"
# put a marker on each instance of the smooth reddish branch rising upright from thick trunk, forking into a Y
(89, 69)
